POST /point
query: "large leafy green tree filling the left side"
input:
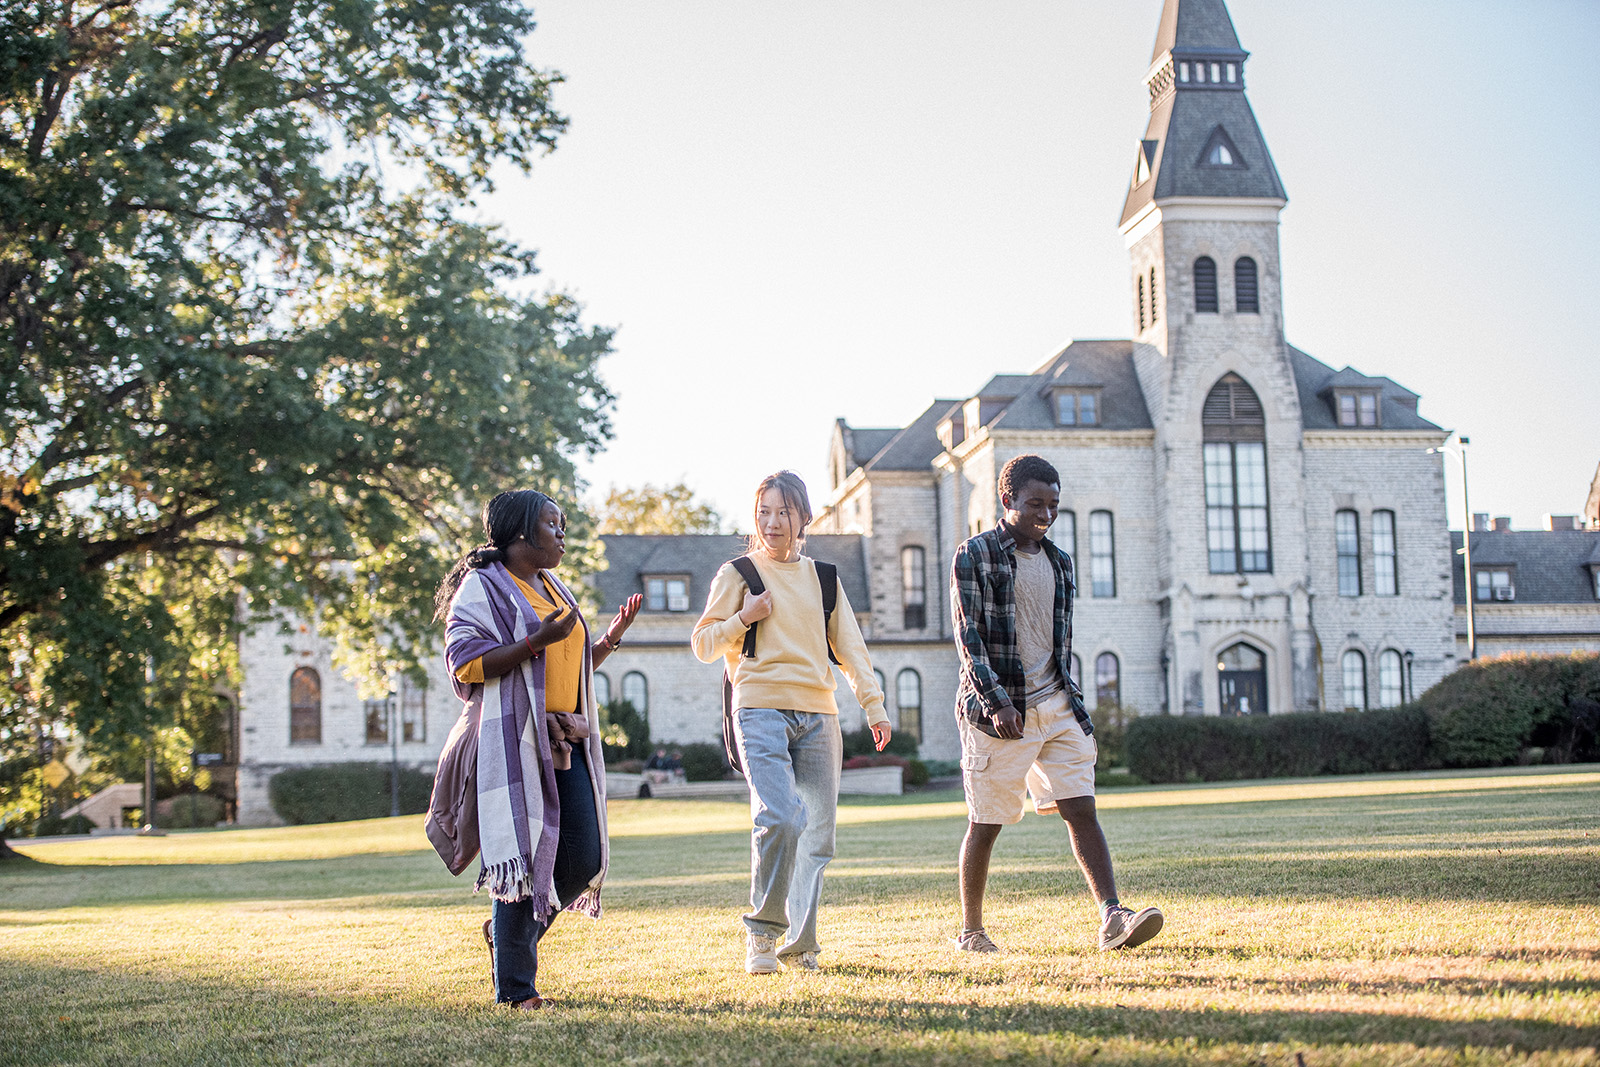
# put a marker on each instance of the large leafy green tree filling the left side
(252, 342)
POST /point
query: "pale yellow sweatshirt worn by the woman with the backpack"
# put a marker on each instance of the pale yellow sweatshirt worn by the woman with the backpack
(791, 669)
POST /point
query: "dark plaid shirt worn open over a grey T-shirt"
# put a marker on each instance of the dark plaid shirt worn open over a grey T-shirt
(983, 605)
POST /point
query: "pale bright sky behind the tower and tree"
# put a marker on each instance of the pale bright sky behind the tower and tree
(804, 212)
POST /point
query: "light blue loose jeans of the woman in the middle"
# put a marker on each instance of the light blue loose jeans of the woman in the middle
(791, 762)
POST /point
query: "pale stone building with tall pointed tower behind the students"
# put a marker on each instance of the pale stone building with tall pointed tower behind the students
(1255, 532)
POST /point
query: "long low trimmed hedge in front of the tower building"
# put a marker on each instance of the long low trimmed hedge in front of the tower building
(1206, 749)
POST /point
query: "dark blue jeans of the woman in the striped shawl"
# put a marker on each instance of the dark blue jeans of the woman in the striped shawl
(518, 932)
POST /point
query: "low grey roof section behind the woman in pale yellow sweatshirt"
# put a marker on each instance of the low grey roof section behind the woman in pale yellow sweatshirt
(630, 557)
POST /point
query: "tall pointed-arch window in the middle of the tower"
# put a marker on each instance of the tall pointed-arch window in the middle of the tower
(1239, 537)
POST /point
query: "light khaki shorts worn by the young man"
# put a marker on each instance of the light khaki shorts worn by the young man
(1052, 761)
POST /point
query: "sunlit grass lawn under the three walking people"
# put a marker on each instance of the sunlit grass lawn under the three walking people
(1430, 919)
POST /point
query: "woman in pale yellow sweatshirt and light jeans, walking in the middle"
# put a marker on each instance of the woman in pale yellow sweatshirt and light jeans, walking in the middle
(786, 724)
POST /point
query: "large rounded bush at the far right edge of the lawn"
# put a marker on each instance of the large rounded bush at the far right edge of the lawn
(1489, 711)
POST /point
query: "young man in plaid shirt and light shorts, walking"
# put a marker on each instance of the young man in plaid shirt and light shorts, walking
(1018, 709)
